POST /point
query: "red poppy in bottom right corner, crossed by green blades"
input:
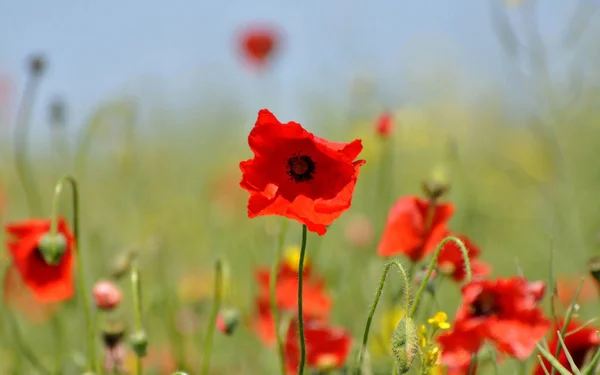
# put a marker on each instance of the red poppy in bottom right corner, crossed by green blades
(582, 343)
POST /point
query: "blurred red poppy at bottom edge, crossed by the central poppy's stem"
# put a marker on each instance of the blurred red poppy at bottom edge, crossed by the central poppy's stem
(327, 348)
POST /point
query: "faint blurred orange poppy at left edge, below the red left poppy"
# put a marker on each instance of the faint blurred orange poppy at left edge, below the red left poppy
(20, 298)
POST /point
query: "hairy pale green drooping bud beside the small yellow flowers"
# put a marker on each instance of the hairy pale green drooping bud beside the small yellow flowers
(405, 343)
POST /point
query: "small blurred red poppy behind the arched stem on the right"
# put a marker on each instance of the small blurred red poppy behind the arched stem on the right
(451, 262)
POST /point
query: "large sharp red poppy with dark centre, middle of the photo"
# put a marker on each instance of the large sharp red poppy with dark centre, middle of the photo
(298, 175)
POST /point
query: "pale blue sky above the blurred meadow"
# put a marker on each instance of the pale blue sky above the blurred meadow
(99, 49)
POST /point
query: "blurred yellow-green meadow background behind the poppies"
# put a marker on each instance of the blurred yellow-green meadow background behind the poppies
(164, 180)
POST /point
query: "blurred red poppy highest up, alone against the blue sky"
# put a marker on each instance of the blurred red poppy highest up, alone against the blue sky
(258, 45)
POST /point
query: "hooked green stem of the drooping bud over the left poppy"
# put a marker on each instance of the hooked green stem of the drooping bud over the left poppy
(85, 296)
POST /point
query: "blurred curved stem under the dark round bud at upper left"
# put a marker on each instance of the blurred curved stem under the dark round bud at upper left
(21, 135)
